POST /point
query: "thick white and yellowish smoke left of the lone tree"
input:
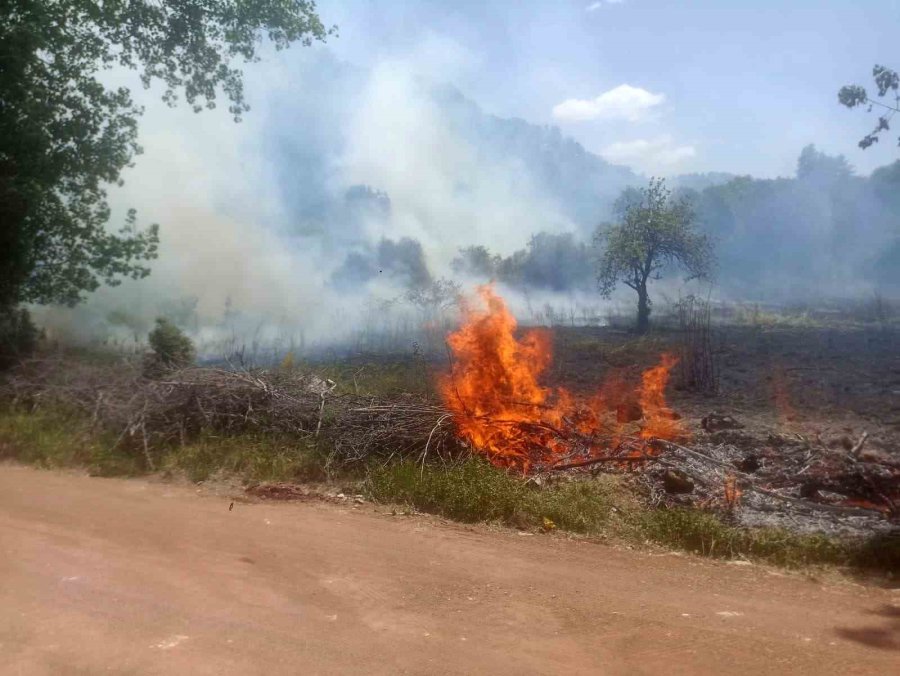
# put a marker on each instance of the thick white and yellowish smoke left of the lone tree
(229, 235)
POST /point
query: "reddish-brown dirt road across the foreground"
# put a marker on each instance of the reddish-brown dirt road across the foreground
(136, 577)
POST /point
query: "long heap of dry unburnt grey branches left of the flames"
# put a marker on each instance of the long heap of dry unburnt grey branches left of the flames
(148, 415)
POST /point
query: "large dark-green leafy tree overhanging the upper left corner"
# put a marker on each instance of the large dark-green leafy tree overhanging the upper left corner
(65, 136)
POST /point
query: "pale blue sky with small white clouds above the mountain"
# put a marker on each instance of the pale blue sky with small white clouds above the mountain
(708, 85)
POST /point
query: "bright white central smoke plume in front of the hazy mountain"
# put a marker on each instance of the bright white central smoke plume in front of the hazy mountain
(443, 189)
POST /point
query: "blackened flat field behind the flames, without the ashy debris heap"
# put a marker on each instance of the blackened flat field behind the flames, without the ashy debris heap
(825, 383)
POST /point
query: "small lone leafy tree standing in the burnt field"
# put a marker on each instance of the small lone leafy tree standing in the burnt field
(654, 232)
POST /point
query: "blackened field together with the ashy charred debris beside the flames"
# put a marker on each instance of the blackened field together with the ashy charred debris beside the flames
(800, 401)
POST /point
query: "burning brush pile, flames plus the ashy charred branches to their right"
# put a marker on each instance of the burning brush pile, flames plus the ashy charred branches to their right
(500, 409)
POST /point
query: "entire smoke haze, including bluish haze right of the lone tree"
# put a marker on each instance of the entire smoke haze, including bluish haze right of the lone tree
(347, 186)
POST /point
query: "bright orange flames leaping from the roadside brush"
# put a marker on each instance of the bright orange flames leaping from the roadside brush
(500, 408)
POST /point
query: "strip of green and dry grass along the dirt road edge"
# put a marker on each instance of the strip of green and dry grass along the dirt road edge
(469, 490)
